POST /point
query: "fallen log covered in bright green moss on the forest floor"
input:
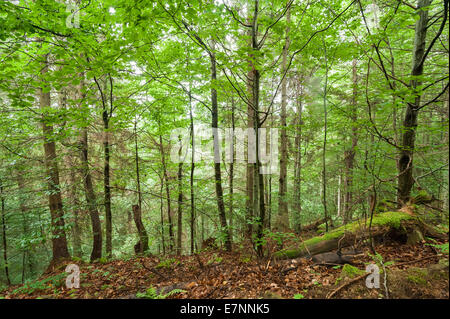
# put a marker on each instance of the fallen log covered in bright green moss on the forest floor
(347, 234)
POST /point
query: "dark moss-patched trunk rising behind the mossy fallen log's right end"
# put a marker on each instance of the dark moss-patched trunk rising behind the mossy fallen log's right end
(405, 163)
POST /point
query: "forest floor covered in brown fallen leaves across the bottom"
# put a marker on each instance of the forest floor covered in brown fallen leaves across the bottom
(217, 274)
